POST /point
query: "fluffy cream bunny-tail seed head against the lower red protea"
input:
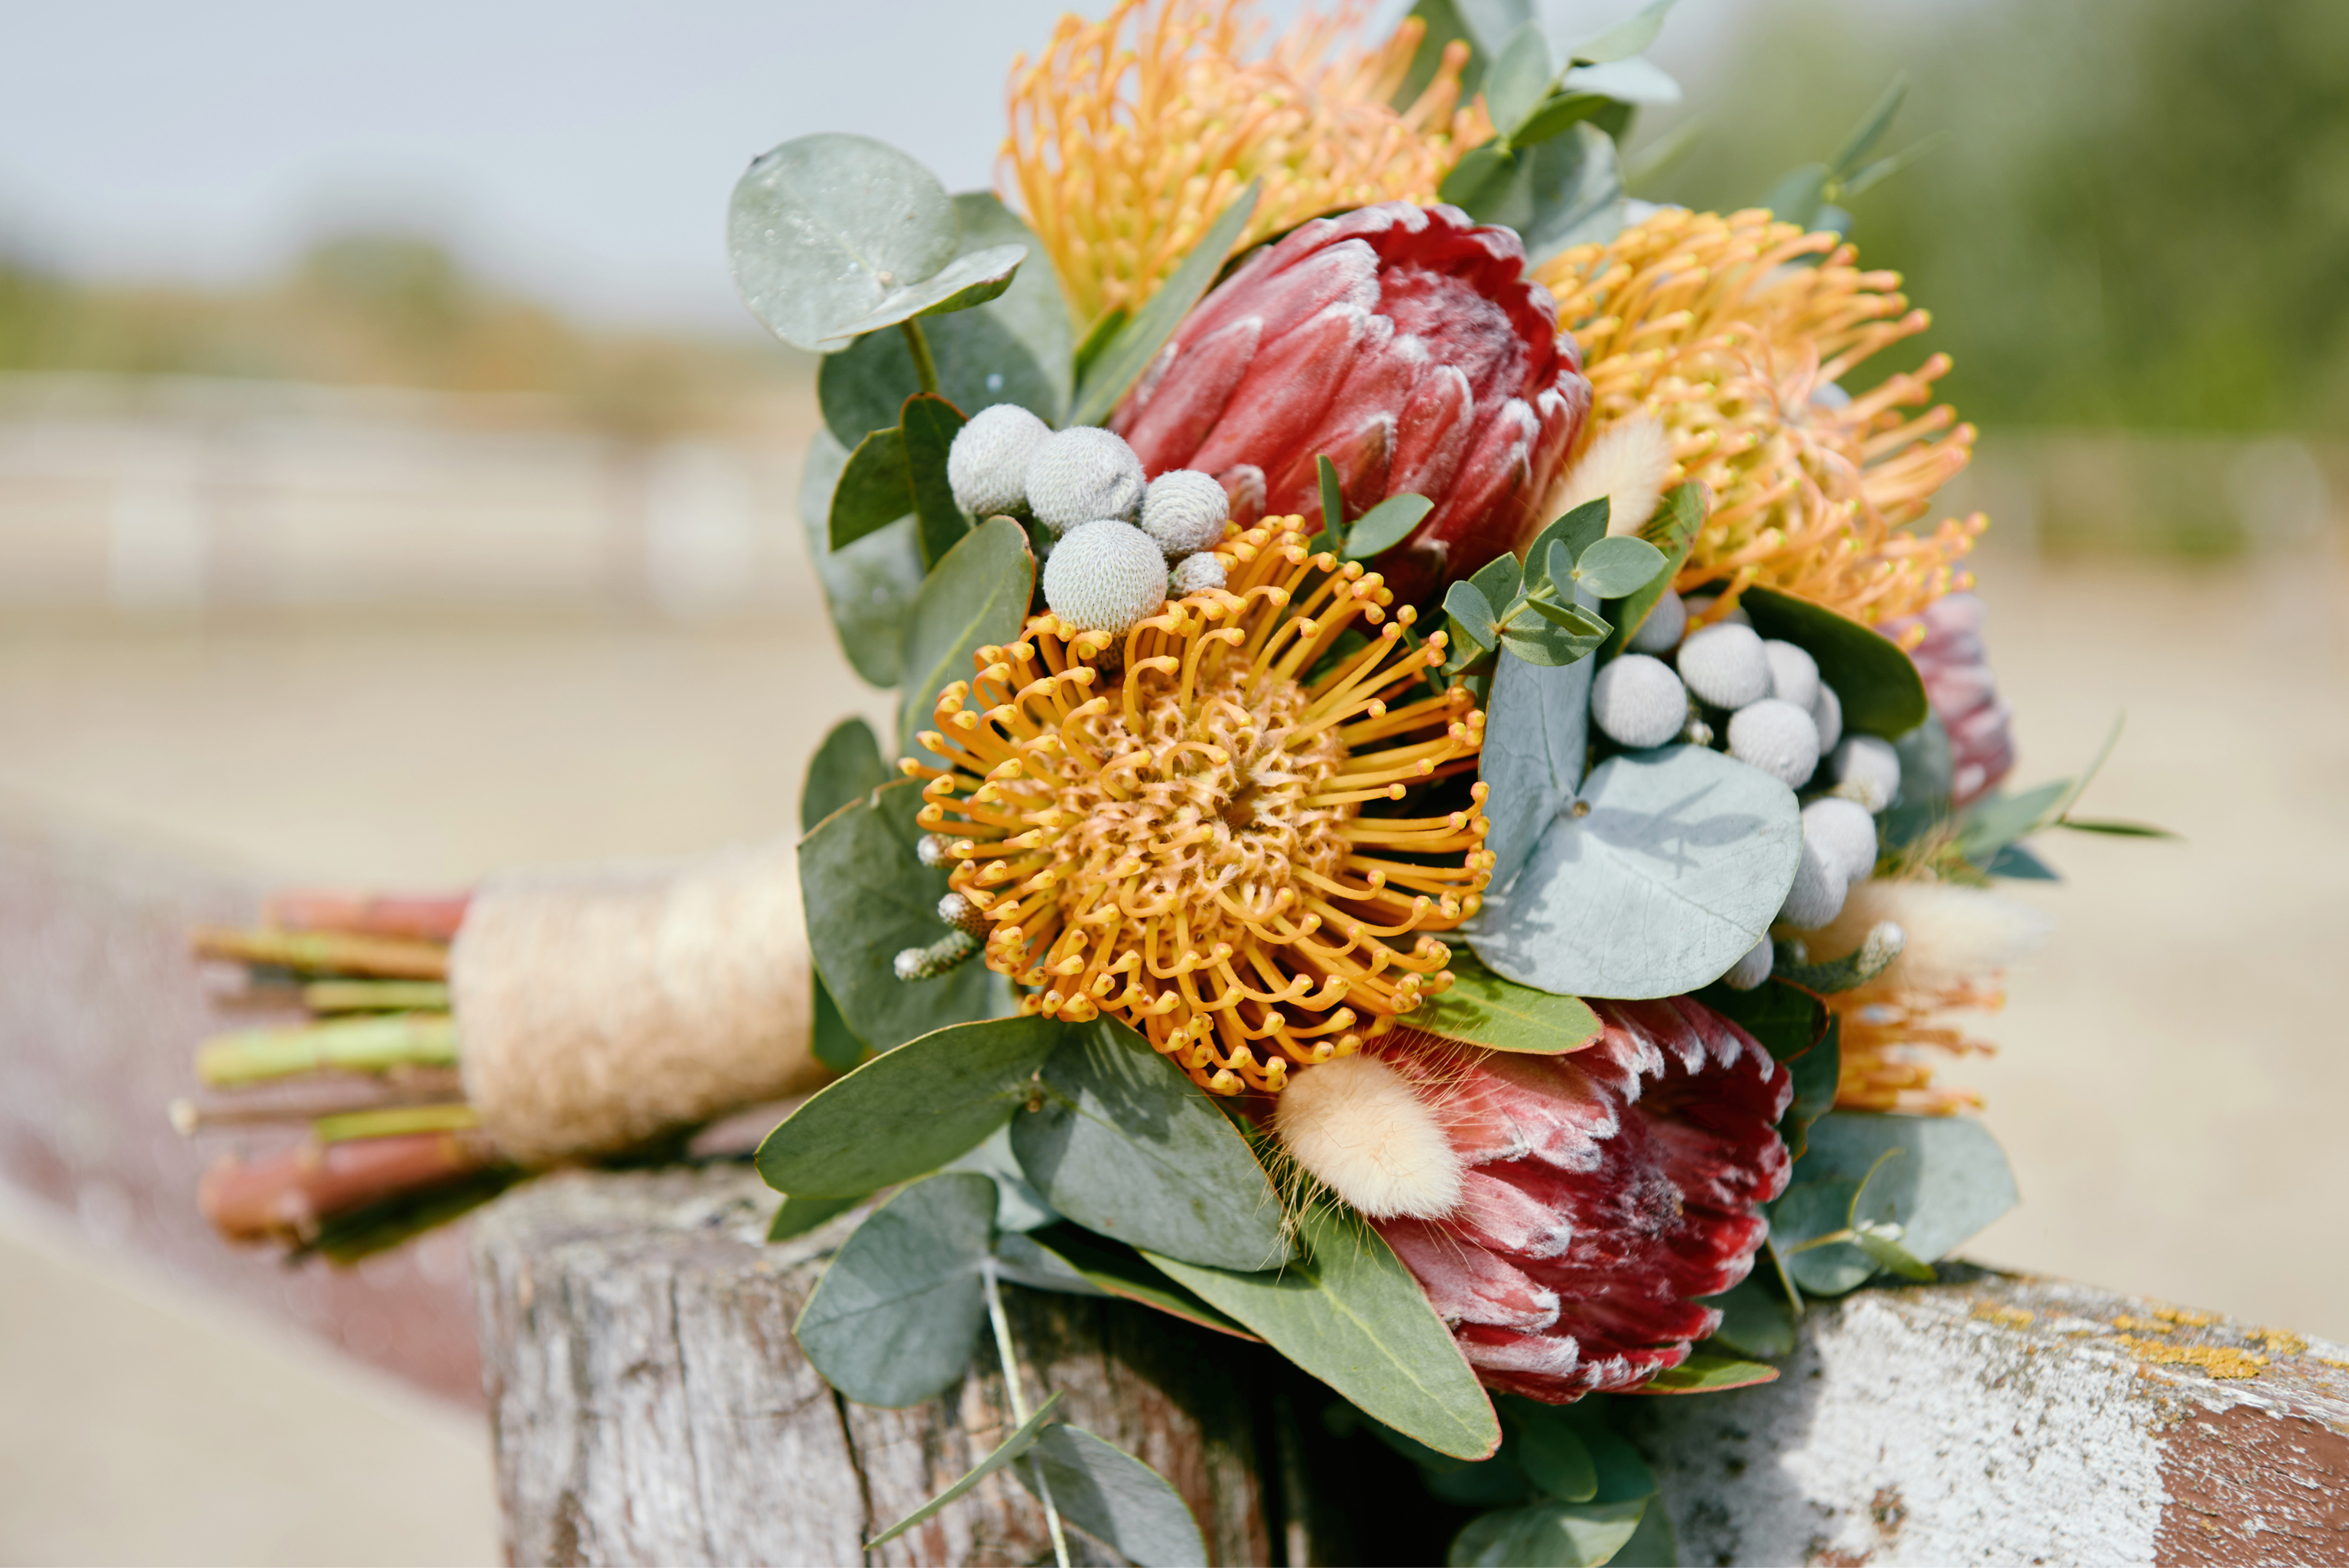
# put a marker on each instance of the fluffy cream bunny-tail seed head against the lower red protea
(1364, 1130)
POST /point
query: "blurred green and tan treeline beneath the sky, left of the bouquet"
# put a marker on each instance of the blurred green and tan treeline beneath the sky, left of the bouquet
(386, 311)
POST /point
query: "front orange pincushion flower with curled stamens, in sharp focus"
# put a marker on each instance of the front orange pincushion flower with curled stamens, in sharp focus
(1190, 827)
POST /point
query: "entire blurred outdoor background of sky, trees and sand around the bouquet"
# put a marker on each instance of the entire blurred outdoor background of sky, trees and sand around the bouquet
(393, 492)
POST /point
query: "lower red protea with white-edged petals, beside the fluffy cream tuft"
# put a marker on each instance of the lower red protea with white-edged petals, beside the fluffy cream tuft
(1603, 1194)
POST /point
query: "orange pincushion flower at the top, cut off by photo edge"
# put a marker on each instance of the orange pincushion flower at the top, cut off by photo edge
(1133, 133)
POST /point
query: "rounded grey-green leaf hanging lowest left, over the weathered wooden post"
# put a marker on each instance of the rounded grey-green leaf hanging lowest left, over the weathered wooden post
(896, 1316)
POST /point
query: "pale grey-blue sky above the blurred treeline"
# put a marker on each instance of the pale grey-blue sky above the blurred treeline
(577, 151)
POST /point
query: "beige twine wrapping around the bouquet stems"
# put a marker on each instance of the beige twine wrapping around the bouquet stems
(605, 1006)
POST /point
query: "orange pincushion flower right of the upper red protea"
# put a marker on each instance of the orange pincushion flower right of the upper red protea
(1730, 334)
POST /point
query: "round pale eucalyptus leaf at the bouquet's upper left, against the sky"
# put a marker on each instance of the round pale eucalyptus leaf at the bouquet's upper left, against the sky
(826, 229)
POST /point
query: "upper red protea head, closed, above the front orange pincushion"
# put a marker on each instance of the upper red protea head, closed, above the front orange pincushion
(1404, 344)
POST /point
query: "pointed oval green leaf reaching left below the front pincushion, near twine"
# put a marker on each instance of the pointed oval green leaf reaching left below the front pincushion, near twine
(908, 1111)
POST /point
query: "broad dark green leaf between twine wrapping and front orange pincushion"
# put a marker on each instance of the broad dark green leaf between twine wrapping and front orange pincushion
(868, 900)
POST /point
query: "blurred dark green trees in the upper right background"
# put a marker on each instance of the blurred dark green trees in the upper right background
(2136, 212)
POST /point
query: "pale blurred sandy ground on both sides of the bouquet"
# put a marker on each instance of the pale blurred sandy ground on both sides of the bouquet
(2169, 1081)
